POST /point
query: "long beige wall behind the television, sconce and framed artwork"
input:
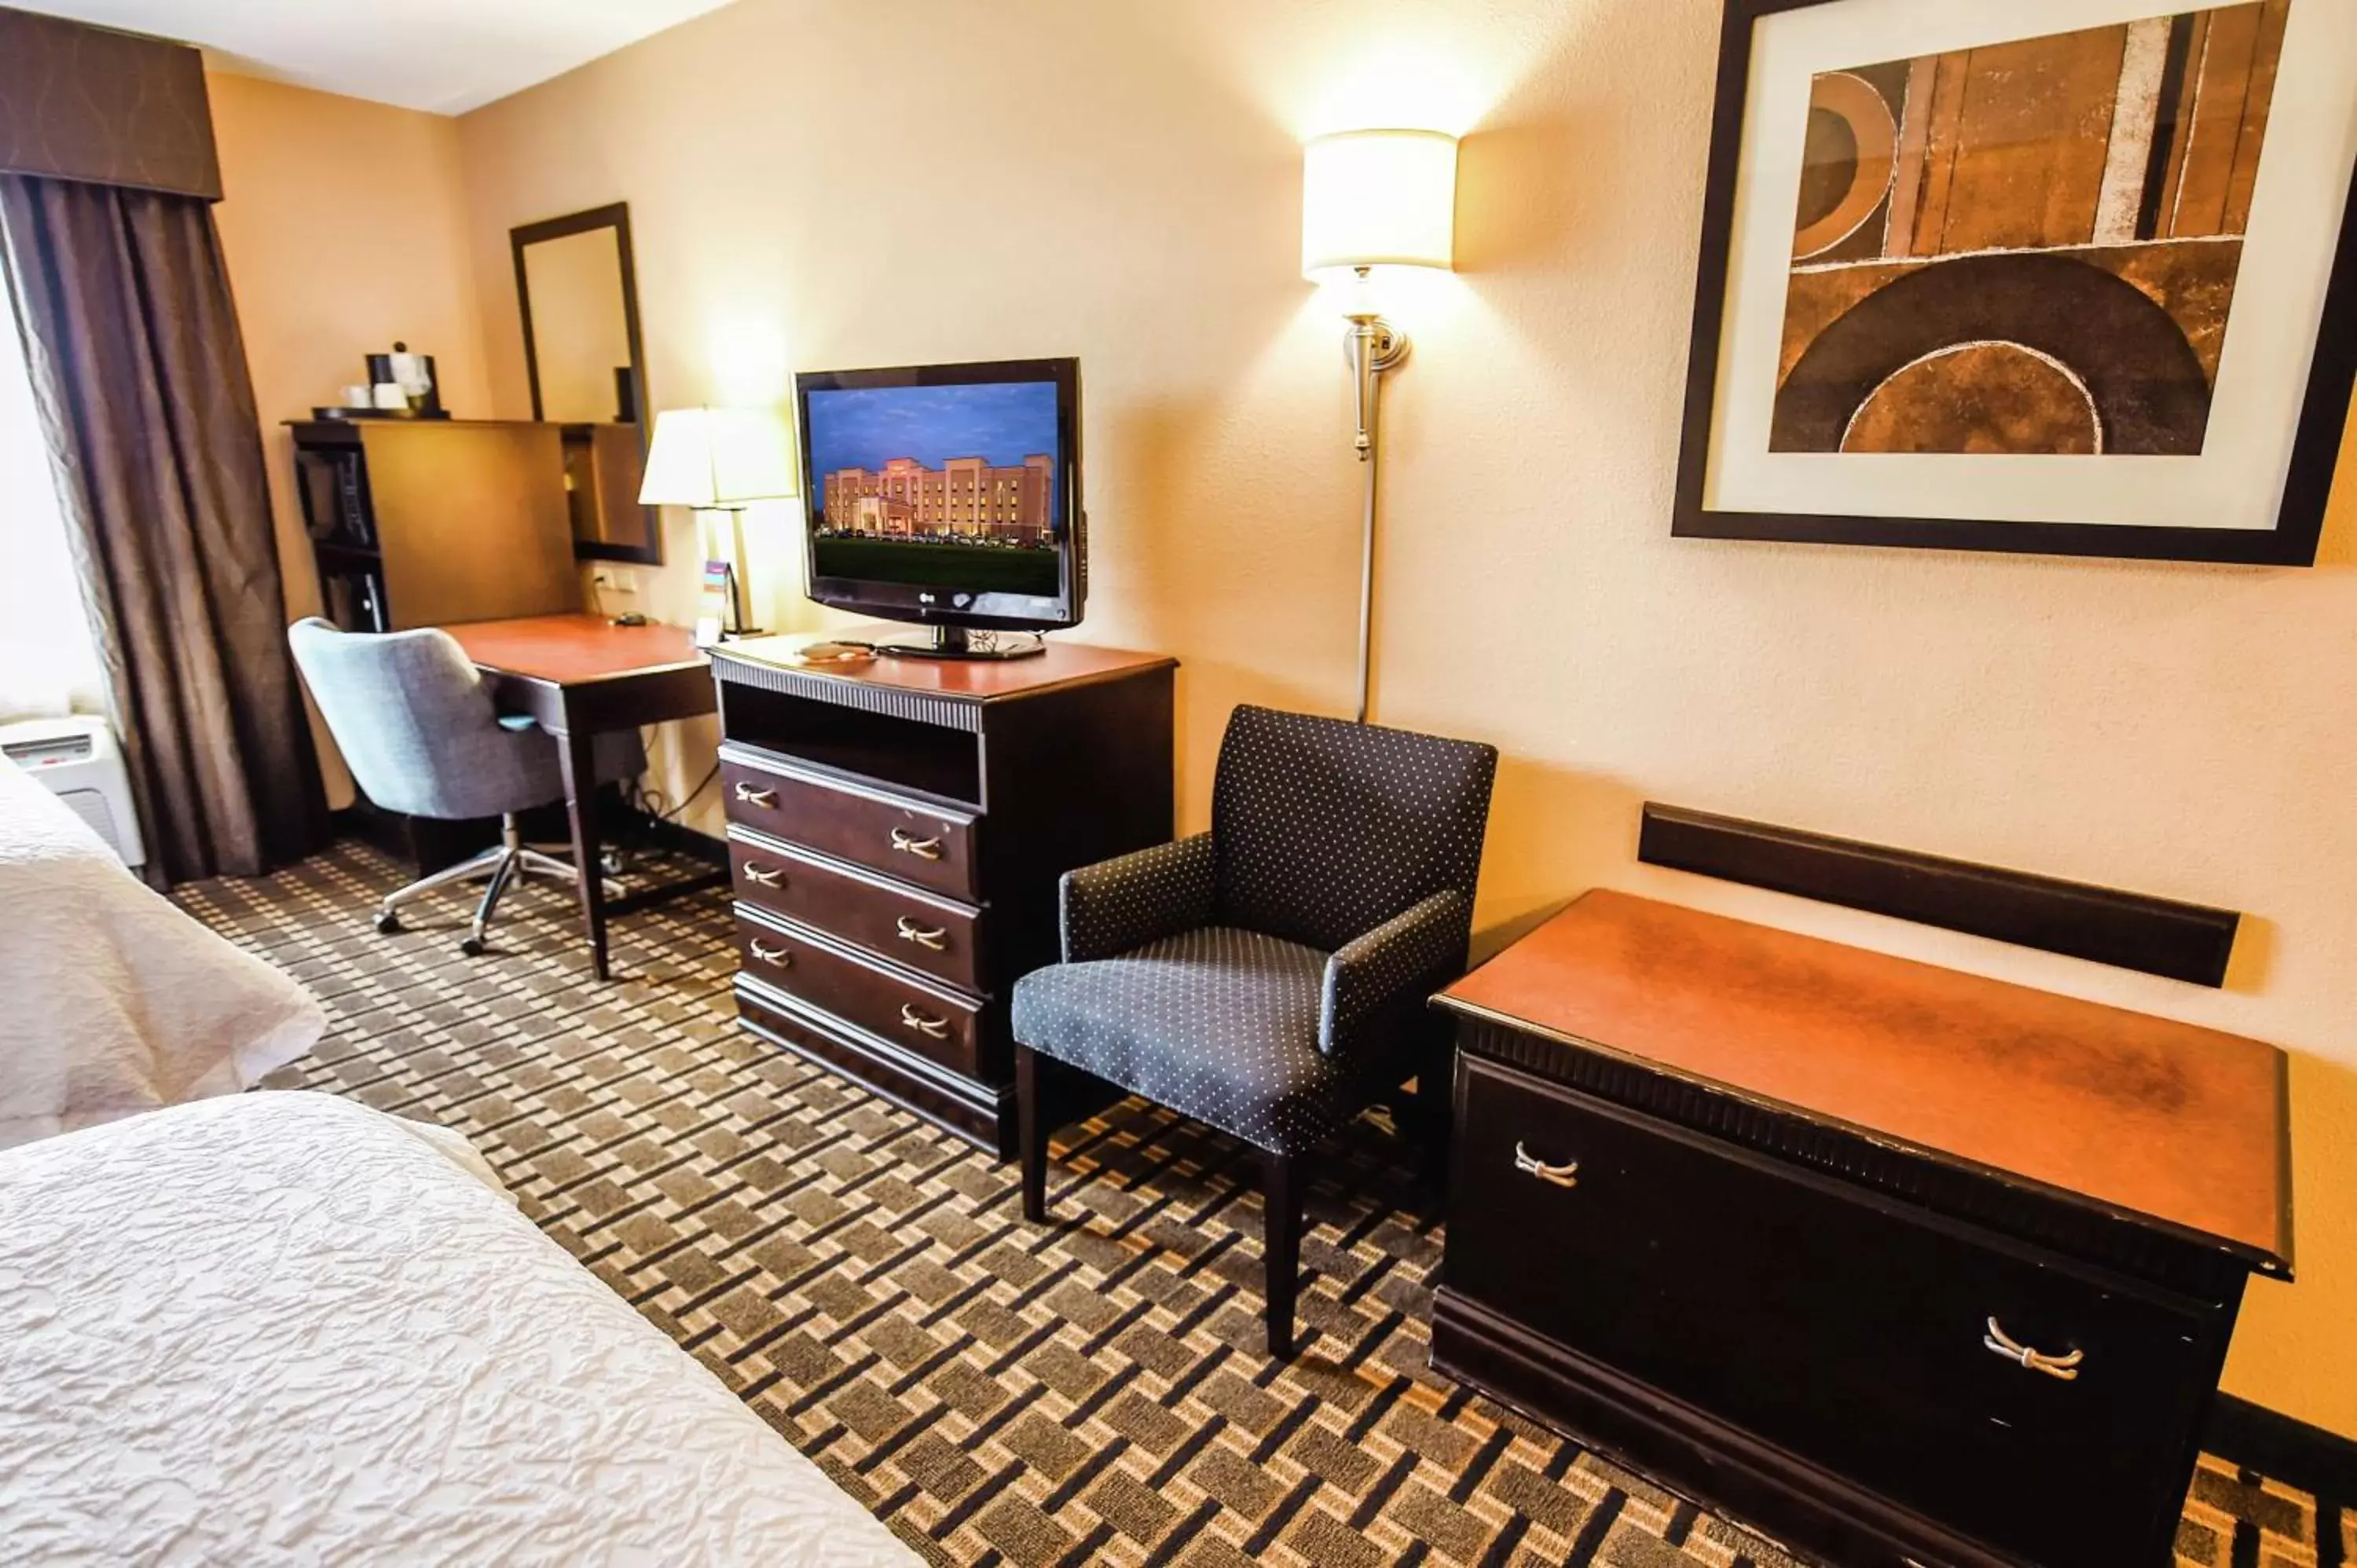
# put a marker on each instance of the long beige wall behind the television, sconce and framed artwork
(1123, 183)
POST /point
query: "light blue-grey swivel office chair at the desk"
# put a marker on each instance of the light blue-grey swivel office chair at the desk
(418, 732)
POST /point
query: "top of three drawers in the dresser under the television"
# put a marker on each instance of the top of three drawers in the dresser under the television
(902, 838)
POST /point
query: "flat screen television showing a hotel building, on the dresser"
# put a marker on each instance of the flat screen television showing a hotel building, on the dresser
(946, 496)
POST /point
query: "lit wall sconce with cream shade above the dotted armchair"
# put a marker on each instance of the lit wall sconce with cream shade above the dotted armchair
(1375, 199)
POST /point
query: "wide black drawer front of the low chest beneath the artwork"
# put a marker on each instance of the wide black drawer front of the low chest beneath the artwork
(1835, 1324)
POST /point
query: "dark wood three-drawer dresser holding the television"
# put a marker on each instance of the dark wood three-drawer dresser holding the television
(897, 834)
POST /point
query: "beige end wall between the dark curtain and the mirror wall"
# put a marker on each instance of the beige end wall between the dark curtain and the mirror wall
(345, 232)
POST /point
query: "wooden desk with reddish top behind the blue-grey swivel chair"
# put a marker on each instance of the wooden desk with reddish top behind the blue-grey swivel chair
(581, 676)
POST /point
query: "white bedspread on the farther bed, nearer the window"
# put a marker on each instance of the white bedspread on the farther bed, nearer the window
(112, 1001)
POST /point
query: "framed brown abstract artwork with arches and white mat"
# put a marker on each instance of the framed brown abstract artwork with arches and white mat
(2061, 277)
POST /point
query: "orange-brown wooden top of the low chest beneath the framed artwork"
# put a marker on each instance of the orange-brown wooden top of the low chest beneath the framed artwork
(2141, 1114)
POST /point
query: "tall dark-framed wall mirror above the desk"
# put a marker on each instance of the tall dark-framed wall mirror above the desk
(588, 374)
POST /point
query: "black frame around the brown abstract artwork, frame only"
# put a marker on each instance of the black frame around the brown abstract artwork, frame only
(2306, 485)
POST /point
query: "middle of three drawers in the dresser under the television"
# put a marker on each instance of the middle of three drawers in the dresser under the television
(904, 925)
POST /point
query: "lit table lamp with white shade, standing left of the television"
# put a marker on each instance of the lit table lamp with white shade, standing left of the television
(720, 461)
